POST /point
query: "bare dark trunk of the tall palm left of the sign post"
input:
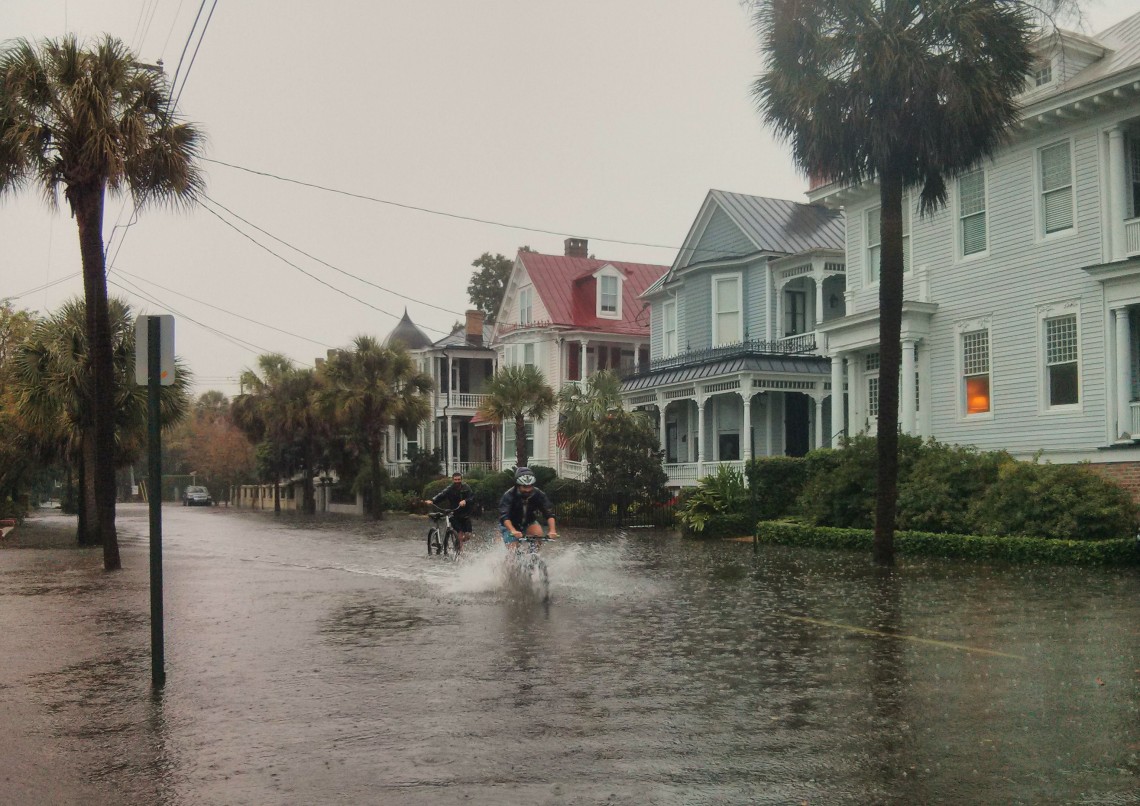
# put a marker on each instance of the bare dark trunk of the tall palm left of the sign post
(87, 205)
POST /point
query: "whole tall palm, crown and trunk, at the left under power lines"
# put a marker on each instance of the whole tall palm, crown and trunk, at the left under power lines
(83, 121)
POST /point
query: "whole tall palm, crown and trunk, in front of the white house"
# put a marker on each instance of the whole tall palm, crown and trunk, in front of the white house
(906, 94)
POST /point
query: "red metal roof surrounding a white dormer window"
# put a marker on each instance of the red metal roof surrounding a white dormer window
(569, 291)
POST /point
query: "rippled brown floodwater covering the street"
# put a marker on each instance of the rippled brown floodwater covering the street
(335, 663)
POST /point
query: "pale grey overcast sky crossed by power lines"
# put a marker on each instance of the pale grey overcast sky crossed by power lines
(602, 119)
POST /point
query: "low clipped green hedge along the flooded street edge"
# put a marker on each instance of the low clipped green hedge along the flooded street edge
(1114, 552)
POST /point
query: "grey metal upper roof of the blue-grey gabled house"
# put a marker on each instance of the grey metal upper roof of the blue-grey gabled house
(777, 225)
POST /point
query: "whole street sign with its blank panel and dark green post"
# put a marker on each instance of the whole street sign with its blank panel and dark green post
(158, 335)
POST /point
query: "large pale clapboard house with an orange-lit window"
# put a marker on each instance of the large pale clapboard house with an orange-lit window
(1022, 313)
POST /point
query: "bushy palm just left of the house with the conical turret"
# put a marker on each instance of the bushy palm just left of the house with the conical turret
(370, 388)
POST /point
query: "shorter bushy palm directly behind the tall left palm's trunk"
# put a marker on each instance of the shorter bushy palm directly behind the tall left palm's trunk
(54, 395)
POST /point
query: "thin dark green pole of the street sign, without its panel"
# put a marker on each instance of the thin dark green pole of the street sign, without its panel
(154, 496)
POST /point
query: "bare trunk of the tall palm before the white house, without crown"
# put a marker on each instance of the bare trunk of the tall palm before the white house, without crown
(891, 320)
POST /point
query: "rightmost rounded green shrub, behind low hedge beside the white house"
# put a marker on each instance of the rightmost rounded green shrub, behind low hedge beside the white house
(1054, 501)
